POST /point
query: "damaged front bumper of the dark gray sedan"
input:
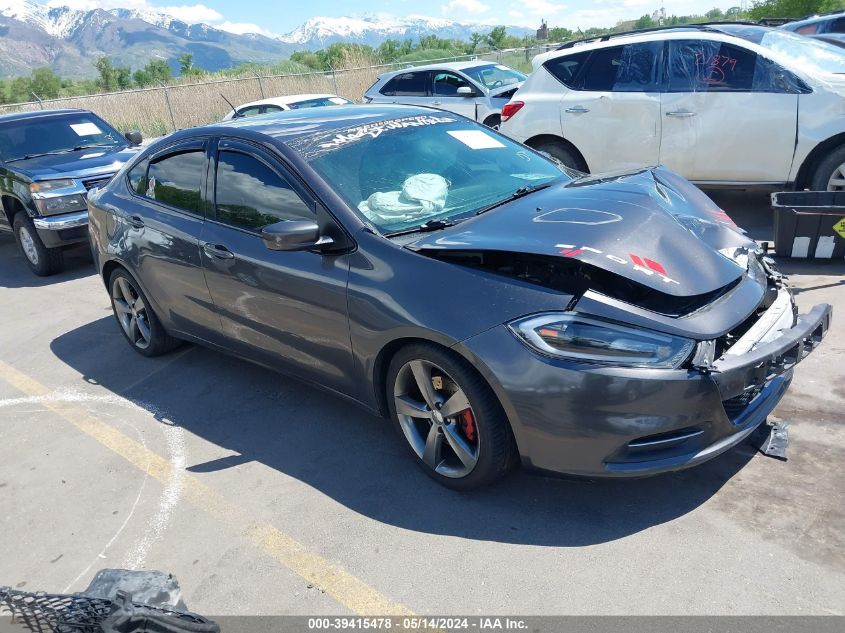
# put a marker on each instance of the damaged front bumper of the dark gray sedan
(616, 422)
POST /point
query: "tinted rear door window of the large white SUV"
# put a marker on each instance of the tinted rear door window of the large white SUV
(628, 68)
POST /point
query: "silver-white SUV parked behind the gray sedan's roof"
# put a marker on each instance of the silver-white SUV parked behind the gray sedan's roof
(475, 89)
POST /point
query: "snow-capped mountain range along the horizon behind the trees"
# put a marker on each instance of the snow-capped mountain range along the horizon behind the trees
(70, 40)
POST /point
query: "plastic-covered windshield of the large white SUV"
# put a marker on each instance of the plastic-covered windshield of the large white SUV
(806, 53)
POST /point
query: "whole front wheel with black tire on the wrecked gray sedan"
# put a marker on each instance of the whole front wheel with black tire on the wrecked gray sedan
(491, 440)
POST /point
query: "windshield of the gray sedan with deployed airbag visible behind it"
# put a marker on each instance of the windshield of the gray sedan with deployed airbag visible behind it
(402, 173)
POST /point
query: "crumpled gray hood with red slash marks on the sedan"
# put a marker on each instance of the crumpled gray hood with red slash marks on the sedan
(651, 226)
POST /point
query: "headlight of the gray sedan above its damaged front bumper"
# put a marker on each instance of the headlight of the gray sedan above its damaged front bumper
(577, 337)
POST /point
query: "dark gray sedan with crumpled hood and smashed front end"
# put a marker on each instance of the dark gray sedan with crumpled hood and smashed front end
(494, 305)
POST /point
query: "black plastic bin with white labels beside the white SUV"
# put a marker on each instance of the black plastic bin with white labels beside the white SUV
(809, 224)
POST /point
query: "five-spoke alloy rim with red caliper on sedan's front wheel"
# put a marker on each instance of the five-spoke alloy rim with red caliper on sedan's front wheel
(436, 418)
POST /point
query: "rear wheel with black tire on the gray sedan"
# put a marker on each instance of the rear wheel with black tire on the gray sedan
(139, 325)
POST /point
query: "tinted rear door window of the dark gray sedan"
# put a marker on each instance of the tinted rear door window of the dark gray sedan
(176, 179)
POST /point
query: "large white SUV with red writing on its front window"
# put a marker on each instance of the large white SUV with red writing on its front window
(723, 105)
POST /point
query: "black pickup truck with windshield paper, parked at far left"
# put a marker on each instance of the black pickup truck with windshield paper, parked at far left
(49, 160)
